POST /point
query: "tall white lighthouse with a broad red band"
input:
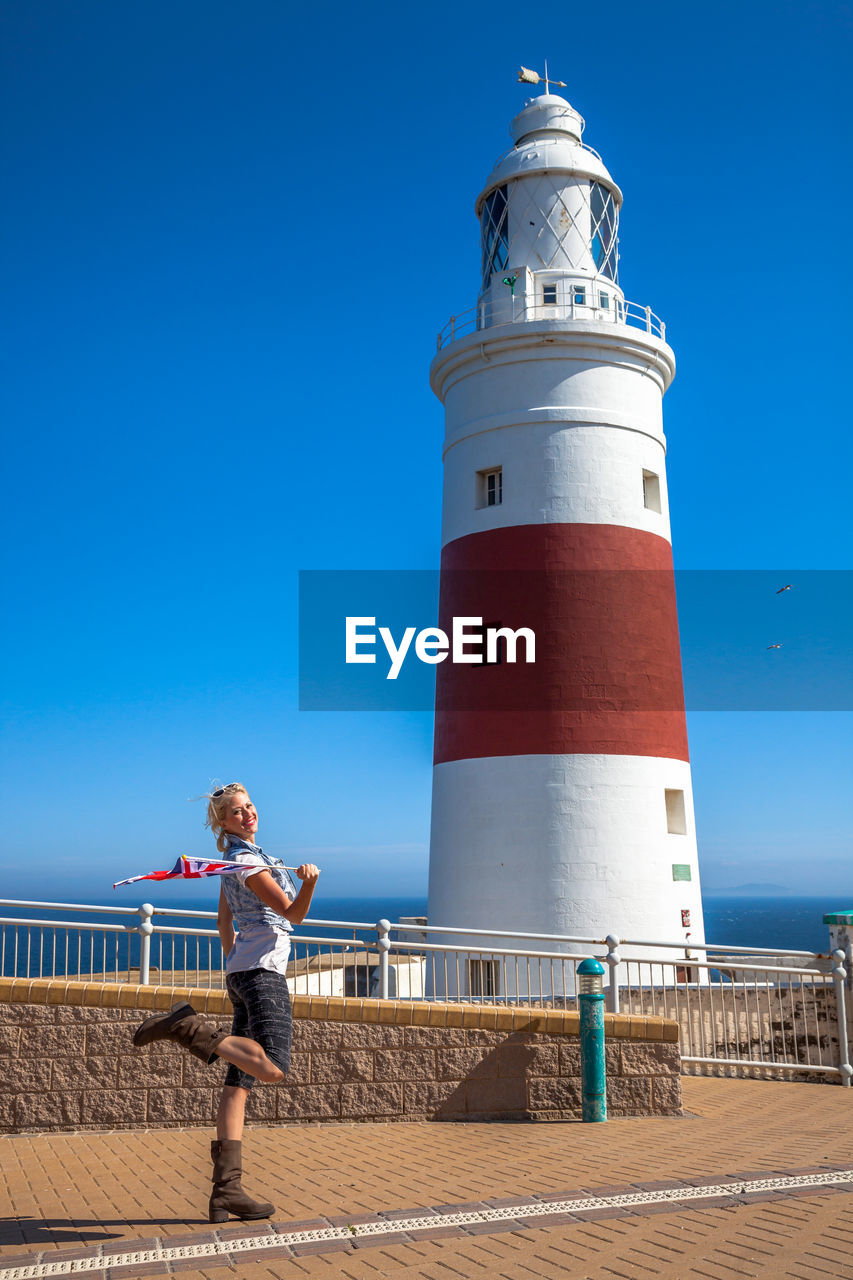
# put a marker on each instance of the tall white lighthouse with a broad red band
(562, 794)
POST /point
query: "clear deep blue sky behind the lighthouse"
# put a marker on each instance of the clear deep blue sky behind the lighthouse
(231, 235)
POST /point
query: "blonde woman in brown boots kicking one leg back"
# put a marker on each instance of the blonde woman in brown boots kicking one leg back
(264, 906)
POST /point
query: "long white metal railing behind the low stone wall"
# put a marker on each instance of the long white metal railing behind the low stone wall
(755, 1009)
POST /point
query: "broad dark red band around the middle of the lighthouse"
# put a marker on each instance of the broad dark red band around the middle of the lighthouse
(608, 671)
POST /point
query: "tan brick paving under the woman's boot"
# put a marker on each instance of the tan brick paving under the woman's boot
(86, 1196)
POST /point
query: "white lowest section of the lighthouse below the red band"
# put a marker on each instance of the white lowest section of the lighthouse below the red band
(578, 845)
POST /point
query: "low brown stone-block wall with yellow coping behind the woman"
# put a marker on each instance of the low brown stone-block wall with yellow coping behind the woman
(69, 1063)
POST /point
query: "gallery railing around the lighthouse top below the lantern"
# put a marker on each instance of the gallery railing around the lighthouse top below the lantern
(522, 309)
